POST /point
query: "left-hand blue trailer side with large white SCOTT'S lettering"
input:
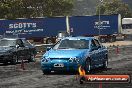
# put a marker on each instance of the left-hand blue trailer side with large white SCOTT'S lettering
(36, 27)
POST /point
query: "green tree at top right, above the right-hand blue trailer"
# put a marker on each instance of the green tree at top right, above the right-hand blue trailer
(114, 7)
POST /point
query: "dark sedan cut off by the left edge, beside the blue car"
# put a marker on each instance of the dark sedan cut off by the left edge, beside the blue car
(14, 49)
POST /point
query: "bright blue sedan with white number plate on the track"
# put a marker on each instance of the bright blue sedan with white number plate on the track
(72, 52)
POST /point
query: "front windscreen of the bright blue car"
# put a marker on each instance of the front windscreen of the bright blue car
(72, 44)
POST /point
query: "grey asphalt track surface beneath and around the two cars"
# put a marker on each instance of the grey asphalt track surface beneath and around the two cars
(12, 76)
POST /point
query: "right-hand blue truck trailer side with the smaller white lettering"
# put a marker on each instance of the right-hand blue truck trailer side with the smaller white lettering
(89, 25)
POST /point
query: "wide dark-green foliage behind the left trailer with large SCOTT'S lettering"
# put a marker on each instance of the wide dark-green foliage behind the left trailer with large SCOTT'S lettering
(11, 9)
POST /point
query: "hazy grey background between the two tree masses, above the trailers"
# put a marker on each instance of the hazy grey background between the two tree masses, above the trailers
(84, 7)
